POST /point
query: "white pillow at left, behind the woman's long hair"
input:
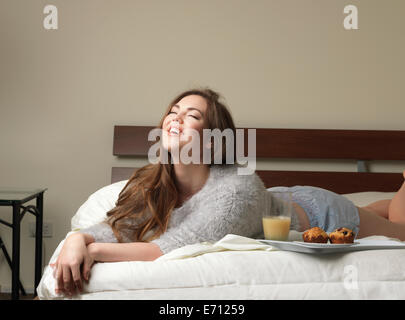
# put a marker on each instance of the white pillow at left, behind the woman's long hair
(95, 209)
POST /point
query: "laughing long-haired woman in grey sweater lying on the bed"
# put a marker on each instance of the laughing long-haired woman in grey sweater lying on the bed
(168, 205)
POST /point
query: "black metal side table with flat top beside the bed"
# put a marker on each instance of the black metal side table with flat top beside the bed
(15, 198)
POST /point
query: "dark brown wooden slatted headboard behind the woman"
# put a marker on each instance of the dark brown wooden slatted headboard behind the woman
(359, 145)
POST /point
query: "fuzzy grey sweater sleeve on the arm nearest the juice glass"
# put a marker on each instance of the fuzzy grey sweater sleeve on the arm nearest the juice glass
(235, 206)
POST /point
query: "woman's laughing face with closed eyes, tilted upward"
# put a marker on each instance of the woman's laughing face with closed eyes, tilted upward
(188, 113)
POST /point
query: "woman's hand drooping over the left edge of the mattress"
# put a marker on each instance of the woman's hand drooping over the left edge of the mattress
(73, 256)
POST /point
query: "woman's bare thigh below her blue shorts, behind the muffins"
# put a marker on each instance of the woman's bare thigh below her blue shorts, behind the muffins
(373, 224)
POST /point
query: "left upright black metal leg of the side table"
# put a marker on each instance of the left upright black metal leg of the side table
(15, 294)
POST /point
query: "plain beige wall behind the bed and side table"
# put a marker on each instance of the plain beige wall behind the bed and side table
(279, 64)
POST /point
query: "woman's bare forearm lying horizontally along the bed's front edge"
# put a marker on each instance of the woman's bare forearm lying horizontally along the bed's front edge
(115, 252)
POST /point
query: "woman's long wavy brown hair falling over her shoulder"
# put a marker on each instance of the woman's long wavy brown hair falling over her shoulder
(144, 205)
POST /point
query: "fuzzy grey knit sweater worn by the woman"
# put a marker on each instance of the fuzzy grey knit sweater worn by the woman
(227, 203)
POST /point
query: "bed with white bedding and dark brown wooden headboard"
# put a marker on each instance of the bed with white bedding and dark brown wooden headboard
(240, 268)
